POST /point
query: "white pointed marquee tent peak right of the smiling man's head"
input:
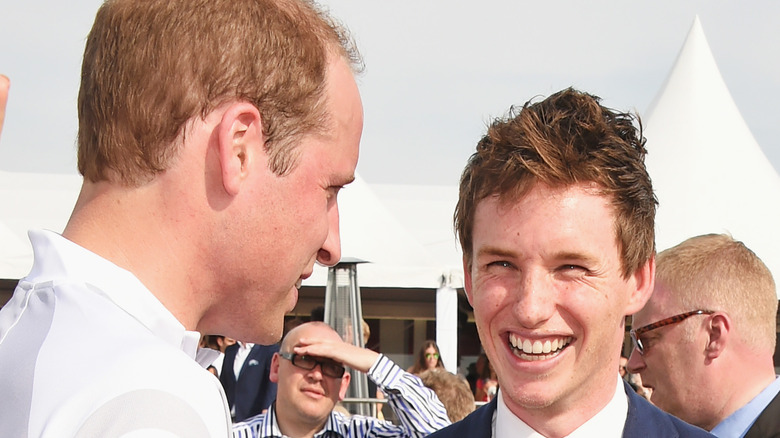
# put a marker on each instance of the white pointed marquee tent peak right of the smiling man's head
(709, 173)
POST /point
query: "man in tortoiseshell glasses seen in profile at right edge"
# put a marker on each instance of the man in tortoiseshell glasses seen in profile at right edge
(704, 341)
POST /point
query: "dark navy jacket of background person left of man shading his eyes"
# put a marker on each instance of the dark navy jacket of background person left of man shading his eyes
(253, 392)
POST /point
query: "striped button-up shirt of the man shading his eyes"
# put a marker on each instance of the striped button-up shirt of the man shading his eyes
(418, 409)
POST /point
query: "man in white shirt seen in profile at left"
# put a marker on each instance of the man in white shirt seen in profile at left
(214, 137)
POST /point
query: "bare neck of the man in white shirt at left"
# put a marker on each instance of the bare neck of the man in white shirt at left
(129, 227)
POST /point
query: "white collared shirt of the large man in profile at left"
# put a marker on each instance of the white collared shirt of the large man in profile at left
(87, 350)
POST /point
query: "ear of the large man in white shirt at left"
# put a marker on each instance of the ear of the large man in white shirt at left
(240, 144)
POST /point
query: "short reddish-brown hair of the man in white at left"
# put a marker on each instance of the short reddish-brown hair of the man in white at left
(150, 66)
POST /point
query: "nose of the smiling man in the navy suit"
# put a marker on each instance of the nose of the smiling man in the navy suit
(534, 300)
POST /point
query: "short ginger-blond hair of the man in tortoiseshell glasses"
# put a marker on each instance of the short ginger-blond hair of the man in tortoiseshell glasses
(716, 272)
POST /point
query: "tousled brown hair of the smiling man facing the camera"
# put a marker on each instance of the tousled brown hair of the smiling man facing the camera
(566, 139)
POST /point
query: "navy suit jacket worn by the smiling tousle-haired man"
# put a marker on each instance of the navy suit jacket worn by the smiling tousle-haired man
(644, 421)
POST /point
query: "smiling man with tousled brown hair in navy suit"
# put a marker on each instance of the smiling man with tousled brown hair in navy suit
(555, 218)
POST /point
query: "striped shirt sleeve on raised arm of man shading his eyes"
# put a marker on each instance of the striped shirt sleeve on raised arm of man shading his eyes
(417, 407)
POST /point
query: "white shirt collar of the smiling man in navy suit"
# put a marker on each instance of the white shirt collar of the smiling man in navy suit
(608, 422)
